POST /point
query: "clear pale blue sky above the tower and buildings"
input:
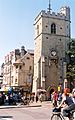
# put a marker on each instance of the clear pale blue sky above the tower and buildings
(17, 19)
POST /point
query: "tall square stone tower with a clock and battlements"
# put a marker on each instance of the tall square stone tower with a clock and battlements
(52, 35)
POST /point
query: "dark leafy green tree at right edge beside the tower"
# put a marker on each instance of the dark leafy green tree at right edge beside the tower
(71, 65)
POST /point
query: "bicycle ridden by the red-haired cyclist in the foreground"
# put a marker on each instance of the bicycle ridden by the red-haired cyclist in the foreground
(58, 115)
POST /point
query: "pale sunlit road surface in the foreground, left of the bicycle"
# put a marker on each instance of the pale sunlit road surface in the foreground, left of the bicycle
(26, 113)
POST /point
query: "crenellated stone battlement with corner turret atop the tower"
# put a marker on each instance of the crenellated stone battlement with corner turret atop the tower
(64, 13)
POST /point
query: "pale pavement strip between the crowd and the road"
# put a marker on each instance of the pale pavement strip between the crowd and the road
(34, 104)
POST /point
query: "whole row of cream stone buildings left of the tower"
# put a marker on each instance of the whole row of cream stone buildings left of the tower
(18, 69)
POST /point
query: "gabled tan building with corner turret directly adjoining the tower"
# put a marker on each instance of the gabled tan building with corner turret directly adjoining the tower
(23, 72)
